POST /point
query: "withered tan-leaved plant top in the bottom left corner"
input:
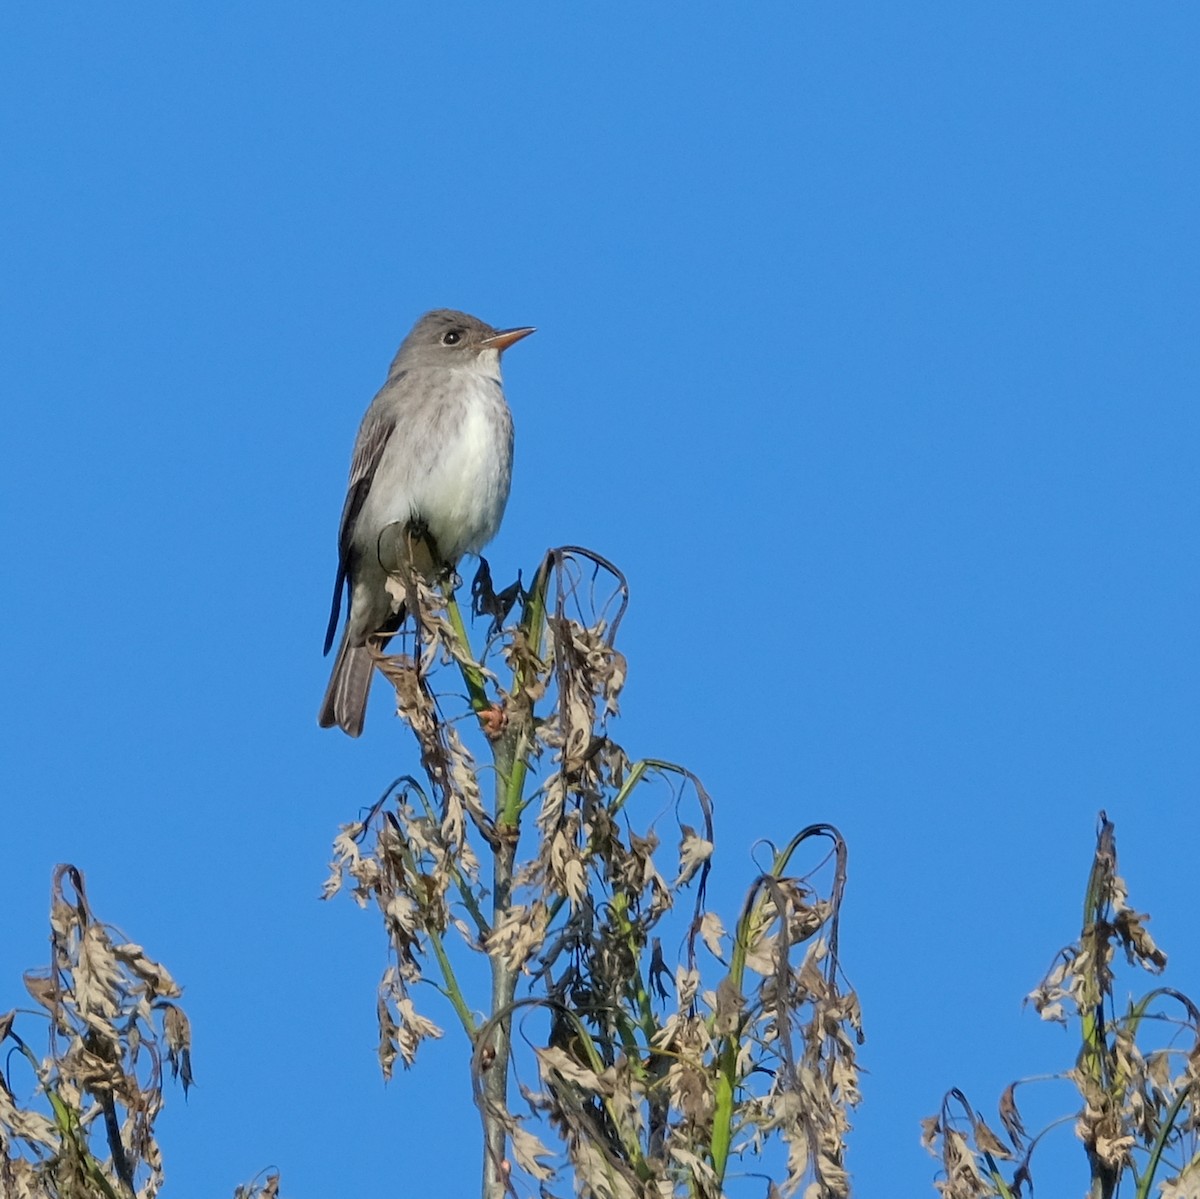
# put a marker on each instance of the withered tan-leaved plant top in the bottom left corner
(79, 1124)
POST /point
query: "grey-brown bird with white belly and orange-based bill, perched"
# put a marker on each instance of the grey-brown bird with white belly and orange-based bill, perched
(434, 458)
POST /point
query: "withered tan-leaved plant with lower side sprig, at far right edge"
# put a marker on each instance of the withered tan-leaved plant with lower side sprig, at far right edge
(1139, 1113)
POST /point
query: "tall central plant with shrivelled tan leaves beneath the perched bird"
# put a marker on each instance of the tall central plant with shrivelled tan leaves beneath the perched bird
(637, 1076)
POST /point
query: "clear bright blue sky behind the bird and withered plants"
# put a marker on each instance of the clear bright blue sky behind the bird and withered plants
(867, 349)
